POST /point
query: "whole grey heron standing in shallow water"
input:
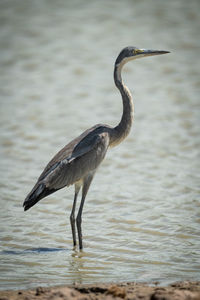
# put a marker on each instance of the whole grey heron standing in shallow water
(78, 161)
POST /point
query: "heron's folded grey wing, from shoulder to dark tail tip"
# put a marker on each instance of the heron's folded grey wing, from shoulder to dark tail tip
(85, 156)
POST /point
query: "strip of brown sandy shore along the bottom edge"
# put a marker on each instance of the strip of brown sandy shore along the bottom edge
(187, 290)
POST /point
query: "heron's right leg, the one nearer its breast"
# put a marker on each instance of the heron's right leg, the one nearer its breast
(86, 185)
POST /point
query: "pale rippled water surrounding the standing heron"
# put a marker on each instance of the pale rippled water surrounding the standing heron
(141, 217)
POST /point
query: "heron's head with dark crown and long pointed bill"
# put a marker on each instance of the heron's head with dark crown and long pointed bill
(130, 53)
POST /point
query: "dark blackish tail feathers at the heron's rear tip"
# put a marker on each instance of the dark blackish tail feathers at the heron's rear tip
(38, 192)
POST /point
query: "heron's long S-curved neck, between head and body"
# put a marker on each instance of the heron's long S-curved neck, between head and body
(124, 126)
